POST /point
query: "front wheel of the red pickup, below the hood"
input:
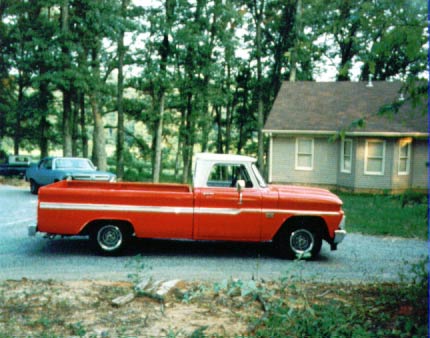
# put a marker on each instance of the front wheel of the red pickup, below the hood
(298, 242)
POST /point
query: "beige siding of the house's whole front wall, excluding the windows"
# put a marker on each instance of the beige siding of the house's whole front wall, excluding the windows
(326, 165)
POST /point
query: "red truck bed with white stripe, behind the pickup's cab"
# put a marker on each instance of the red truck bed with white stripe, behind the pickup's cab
(155, 210)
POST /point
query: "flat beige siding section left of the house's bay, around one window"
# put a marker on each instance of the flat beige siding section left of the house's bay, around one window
(325, 162)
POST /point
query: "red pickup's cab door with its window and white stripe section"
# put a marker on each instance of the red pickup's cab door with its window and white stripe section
(224, 213)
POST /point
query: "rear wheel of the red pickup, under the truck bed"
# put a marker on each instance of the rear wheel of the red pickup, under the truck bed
(110, 238)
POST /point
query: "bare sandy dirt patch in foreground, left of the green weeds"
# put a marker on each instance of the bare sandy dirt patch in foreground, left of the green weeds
(84, 308)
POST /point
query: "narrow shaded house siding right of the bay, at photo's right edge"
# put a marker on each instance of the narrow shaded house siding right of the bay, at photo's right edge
(419, 164)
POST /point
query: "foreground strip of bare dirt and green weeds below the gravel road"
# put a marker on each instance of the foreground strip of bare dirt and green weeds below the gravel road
(229, 308)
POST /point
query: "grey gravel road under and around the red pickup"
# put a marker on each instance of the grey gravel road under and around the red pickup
(358, 259)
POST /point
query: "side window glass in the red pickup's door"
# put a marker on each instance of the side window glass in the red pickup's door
(227, 175)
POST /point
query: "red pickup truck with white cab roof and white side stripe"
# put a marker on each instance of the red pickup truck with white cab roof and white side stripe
(229, 201)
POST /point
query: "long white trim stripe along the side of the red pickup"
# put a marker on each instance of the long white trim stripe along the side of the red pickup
(176, 210)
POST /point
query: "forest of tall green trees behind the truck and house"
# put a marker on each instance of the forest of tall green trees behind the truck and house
(140, 86)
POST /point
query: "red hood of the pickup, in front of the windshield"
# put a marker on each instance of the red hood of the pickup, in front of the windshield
(307, 196)
